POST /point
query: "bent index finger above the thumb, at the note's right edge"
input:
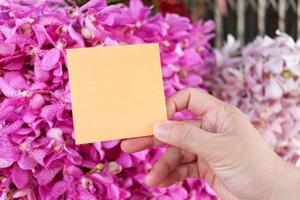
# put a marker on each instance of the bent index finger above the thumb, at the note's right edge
(192, 99)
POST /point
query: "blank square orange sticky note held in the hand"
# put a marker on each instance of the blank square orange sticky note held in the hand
(116, 92)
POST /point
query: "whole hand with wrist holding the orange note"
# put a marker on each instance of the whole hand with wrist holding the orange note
(222, 147)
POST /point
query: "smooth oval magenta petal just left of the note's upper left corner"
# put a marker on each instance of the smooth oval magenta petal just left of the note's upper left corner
(50, 59)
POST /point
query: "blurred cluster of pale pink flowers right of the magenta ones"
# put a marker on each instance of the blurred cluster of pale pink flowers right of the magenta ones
(263, 80)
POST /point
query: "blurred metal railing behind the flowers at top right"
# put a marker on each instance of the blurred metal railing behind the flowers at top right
(247, 18)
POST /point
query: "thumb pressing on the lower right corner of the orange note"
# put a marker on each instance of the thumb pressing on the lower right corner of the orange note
(185, 136)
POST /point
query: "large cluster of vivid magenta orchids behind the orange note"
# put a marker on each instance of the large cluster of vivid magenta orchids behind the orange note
(38, 156)
